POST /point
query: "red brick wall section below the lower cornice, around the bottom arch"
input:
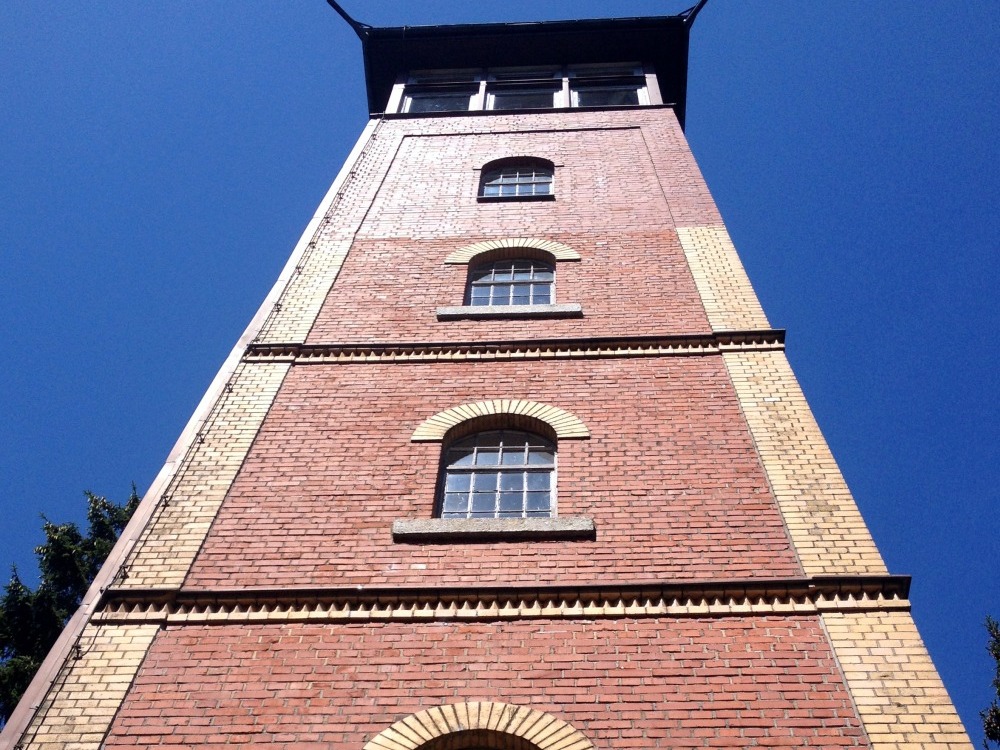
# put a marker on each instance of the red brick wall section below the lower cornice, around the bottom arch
(700, 683)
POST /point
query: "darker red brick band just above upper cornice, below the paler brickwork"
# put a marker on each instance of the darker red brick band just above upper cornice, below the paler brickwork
(629, 284)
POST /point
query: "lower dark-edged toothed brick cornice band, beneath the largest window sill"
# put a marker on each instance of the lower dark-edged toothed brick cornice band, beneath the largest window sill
(713, 599)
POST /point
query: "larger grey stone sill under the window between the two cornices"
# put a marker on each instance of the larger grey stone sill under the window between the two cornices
(460, 530)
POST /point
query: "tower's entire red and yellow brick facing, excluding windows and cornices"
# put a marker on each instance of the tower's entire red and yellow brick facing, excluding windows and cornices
(697, 467)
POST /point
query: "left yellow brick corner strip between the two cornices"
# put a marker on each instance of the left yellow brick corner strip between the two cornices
(168, 545)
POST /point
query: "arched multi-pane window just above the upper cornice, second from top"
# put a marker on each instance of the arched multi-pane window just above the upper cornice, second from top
(518, 281)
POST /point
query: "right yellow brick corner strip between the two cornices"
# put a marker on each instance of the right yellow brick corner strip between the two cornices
(826, 529)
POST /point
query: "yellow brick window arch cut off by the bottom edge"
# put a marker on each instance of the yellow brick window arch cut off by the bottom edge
(458, 726)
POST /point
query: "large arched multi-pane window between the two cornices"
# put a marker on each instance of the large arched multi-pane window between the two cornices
(498, 474)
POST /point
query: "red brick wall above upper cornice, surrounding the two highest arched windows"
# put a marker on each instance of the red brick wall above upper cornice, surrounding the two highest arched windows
(623, 182)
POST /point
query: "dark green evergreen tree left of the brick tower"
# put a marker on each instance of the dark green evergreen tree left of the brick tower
(30, 621)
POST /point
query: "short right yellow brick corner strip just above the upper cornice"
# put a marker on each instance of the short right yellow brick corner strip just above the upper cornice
(726, 293)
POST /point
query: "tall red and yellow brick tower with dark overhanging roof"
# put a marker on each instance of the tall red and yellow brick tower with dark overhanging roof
(510, 458)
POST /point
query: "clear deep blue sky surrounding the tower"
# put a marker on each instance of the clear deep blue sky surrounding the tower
(158, 161)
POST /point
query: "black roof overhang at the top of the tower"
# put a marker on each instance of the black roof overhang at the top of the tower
(659, 41)
